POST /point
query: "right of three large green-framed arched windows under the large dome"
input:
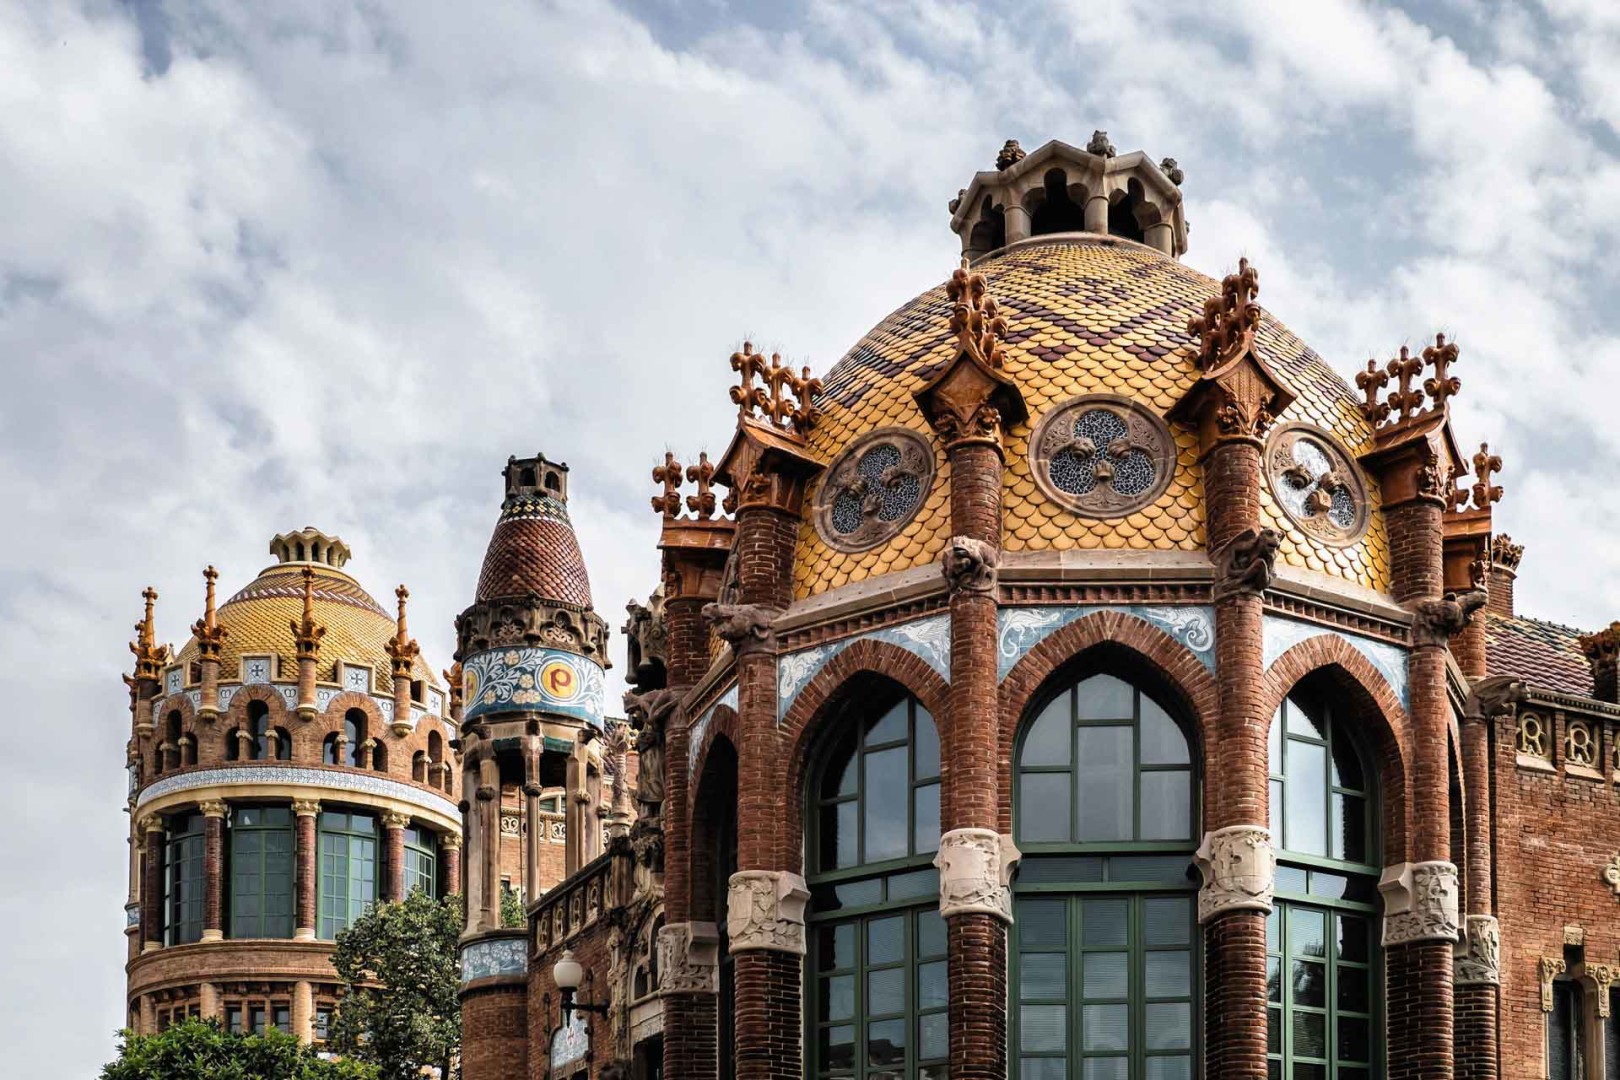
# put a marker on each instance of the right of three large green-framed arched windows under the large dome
(1323, 938)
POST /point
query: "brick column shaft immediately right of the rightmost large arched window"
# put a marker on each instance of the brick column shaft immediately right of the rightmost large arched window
(1420, 974)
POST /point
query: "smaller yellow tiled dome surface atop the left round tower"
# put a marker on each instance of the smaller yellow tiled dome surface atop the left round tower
(258, 619)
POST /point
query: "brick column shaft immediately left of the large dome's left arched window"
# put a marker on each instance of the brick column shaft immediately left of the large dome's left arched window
(769, 995)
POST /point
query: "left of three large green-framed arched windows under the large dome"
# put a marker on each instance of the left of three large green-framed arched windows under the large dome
(877, 990)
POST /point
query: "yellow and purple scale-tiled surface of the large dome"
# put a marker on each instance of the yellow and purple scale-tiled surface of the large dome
(1086, 315)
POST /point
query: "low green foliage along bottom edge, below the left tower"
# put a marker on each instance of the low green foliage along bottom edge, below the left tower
(198, 1050)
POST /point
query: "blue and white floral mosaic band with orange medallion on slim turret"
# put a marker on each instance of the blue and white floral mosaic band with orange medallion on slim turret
(532, 679)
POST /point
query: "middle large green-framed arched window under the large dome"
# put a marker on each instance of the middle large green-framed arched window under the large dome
(1104, 961)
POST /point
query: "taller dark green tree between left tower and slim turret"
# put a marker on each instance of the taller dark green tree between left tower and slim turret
(399, 1008)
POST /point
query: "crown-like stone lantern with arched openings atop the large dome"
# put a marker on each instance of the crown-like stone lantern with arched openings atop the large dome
(1062, 189)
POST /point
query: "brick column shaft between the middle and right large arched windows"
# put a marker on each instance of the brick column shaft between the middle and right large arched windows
(1235, 940)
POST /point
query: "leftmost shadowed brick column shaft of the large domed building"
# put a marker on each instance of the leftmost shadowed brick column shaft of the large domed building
(691, 1021)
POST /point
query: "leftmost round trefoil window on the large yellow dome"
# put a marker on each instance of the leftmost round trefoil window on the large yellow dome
(874, 488)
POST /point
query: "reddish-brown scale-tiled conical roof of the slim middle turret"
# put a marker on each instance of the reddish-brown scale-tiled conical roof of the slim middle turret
(534, 551)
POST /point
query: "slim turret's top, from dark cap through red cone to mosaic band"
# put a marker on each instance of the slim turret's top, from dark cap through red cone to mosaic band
(532, 642)
